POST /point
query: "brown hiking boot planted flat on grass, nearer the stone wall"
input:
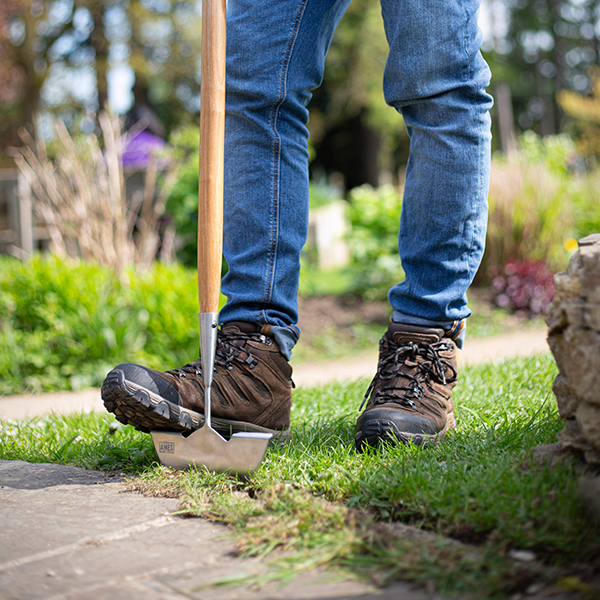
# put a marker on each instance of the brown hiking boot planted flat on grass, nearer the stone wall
(409, 397)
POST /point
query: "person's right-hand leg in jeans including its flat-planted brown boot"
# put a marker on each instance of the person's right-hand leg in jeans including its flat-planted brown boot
(435, 76)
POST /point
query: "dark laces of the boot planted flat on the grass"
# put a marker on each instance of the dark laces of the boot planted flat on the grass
(390, 369)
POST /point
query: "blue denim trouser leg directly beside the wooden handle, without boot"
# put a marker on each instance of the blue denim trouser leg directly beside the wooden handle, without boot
(275, 57)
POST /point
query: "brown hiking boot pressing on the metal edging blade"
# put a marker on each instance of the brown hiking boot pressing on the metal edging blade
(251, 389)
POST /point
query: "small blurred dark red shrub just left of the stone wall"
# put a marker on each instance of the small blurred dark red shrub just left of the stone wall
(525, 288)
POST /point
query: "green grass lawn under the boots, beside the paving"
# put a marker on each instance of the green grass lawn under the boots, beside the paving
(472, 501)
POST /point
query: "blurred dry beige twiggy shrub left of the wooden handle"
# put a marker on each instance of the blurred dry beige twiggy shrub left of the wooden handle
(78, 191)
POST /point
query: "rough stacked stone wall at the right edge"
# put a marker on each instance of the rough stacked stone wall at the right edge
(573, 320)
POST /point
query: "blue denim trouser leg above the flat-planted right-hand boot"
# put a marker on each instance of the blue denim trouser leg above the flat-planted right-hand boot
(436, 77)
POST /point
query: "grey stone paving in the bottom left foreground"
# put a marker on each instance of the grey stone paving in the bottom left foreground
(67, 533)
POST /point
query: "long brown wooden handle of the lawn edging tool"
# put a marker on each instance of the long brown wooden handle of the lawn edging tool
(212, 143)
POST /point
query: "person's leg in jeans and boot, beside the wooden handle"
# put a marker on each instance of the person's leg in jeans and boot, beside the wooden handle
(276, 54)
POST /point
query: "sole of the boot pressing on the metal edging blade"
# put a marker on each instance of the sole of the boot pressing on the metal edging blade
(145, 410)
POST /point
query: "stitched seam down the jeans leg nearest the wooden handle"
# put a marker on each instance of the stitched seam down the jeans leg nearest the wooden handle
(277, 157)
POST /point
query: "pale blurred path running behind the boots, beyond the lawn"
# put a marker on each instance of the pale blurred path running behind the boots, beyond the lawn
(307, 374)
